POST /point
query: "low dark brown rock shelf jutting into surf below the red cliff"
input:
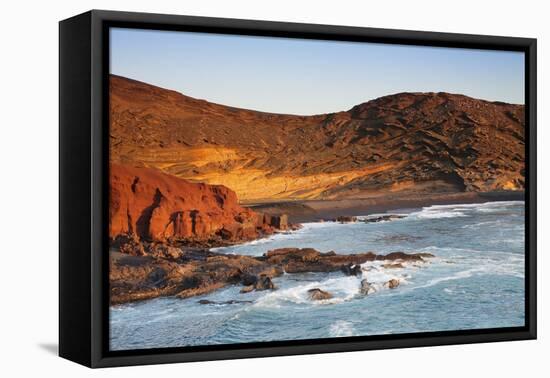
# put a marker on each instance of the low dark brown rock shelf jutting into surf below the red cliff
(135, 278)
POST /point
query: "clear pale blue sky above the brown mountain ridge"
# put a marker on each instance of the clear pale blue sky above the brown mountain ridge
(296, 76)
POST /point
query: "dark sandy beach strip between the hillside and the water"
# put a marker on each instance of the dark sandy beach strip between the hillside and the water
(305, 211)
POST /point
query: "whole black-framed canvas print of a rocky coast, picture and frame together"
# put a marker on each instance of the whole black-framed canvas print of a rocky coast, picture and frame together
(233, 188)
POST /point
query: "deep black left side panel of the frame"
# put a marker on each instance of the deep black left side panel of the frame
(74, 145)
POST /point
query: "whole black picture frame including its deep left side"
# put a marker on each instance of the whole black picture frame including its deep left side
(83, 166)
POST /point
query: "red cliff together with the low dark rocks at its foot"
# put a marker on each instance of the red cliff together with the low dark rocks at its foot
(162, 228)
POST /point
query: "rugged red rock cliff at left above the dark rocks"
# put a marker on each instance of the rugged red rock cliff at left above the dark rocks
(155, 206)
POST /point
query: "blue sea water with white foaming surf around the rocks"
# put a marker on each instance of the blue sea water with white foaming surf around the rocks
(475, 281)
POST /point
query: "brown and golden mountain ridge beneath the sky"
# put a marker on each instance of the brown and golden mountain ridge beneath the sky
(402, 143)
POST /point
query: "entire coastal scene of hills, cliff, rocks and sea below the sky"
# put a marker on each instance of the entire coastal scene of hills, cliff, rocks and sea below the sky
(401, 214)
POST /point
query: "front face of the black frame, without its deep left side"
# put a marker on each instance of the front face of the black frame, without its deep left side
(101, 359)
